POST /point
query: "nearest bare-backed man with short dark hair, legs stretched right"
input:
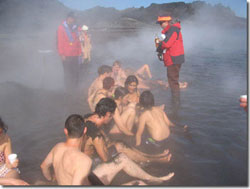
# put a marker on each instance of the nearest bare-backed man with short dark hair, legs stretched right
(73, 167)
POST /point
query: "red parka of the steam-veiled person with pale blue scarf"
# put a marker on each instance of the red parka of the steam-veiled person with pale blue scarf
(64, 45)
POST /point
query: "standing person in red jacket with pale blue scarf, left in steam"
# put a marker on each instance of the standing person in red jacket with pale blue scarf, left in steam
(69, 49)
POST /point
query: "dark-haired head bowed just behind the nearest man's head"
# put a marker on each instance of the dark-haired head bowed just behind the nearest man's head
(105, 109)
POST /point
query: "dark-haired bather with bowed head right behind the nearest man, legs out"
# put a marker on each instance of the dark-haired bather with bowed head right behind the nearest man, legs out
(97, 141)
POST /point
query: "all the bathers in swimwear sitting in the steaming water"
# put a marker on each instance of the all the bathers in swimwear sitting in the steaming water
(102, 143)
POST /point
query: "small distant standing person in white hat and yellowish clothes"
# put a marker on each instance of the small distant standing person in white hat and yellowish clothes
(85, 44)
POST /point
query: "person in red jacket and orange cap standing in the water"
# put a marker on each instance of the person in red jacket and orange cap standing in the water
(173, 53)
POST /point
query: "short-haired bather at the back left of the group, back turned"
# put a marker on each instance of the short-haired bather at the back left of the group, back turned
(103, 71)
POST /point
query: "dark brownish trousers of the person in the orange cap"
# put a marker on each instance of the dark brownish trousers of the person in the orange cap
(173, 81)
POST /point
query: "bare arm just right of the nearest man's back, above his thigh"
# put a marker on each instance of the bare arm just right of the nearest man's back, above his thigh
(101, 148)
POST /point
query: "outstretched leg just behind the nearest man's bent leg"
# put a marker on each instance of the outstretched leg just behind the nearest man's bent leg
(140, 157)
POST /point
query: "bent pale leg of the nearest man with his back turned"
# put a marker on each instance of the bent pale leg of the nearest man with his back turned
(107, 171)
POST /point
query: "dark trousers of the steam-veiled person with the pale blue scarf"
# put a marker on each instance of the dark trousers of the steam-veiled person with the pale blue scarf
(71, 73)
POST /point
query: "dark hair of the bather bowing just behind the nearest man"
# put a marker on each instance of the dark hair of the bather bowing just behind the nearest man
(105, 105)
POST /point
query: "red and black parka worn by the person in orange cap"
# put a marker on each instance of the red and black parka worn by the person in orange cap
(172, 45)
